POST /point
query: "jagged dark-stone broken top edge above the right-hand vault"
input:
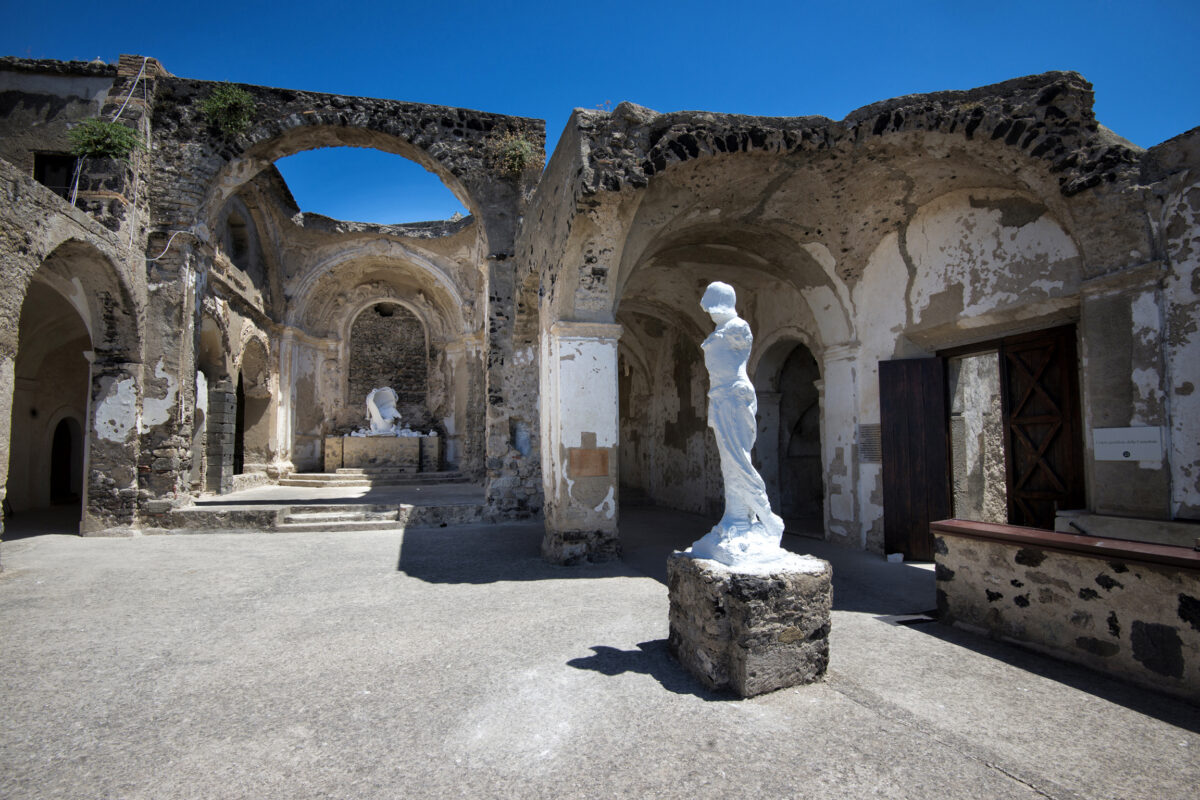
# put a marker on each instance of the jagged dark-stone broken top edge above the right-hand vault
(1047, 117)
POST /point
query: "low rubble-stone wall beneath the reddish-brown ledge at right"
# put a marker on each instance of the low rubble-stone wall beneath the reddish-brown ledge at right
(1132, 619)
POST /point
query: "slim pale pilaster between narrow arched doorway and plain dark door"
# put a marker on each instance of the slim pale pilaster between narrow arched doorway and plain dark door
(841, 465)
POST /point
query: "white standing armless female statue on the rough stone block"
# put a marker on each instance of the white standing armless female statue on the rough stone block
(749, 533)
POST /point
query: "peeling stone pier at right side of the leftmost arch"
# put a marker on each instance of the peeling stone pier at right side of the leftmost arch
(111, 460)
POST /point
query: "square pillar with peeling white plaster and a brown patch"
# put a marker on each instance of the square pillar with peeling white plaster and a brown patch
(580, 431)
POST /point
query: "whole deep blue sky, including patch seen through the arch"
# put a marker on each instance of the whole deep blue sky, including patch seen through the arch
(544, 59)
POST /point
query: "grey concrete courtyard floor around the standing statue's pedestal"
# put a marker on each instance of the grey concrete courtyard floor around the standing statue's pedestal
(454, 663)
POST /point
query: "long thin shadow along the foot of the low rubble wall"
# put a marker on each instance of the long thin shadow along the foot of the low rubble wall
(1150, 702)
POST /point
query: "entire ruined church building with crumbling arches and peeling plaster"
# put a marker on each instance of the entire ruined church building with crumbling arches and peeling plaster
(184, 328)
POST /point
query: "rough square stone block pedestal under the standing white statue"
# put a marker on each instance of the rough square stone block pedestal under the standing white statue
(751, 633)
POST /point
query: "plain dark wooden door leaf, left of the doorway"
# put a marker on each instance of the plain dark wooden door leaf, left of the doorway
(916, 467)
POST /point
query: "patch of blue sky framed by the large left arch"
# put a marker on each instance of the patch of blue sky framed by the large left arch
(364, 185)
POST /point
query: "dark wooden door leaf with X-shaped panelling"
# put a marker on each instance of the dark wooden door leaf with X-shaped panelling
(1043, 446)
